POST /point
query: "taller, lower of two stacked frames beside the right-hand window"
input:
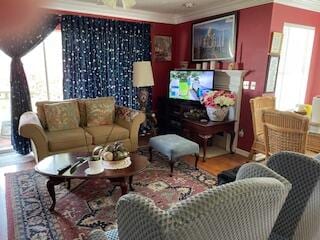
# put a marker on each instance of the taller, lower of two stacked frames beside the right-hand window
(272, 73)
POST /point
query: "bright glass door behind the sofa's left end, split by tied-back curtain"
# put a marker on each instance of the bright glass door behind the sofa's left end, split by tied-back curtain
(43, 68)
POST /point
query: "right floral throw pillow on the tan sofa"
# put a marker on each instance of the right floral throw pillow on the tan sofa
(100, 113)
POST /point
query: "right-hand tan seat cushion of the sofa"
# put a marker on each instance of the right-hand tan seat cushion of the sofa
(107, 133)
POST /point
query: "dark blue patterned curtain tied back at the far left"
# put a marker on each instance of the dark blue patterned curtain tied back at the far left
(16, 47)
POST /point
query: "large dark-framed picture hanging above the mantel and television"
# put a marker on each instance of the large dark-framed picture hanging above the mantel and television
(214, 39)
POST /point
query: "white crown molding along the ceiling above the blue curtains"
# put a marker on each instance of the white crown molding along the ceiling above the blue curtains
(95, 9)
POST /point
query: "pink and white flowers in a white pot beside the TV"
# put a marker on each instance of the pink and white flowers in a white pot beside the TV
(217, 104)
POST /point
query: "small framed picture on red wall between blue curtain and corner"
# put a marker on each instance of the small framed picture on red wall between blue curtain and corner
(163, 48)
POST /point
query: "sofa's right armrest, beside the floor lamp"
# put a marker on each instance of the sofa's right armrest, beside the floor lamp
(131, 120)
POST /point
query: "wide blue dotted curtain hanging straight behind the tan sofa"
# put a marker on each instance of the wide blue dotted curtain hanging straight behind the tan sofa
(98, 55)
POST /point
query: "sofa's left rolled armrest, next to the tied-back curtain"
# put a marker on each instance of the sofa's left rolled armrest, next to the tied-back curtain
(30, 127)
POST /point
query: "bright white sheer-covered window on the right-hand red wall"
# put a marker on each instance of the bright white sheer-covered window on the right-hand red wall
(294, 65)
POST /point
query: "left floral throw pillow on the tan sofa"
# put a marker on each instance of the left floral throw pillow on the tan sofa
(62, 116)
